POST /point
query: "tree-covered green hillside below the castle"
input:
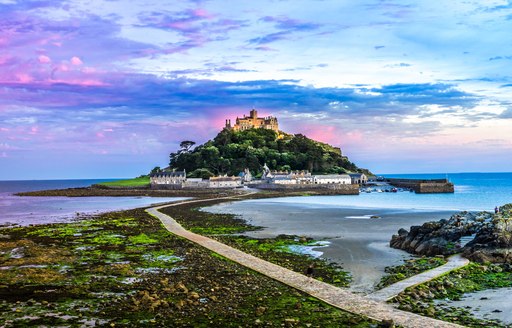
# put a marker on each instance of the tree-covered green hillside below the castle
(230, 152)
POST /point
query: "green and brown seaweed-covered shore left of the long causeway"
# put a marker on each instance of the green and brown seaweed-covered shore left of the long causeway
(125, 270)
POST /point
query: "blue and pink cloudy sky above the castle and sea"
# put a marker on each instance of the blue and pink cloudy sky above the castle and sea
(108, 88)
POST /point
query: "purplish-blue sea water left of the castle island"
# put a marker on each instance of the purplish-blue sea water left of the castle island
(16, 210)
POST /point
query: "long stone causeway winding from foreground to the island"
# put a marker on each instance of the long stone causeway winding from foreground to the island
(335, 296)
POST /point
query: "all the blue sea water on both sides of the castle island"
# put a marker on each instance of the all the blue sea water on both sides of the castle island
(473, 191)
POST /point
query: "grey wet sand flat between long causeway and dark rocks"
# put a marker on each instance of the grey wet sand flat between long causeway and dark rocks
(357, 241)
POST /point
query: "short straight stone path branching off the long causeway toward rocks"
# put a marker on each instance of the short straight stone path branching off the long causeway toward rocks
(387, 293)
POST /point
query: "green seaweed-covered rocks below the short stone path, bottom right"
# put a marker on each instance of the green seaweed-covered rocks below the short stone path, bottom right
(473, 277)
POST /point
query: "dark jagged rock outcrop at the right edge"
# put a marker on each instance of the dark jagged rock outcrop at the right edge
(479, 236)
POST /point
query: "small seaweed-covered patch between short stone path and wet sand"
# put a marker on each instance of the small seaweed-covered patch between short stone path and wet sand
(410, 268)
